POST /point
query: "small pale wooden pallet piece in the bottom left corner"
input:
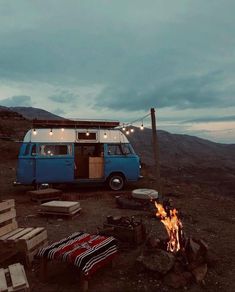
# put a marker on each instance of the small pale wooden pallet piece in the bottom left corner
(13, 279)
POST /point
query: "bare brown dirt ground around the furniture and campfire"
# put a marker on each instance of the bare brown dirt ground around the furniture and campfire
(205, 214)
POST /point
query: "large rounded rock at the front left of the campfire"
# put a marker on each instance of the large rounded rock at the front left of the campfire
(160, 261)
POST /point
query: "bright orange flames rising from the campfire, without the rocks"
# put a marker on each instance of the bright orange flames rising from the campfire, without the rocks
(173, 227)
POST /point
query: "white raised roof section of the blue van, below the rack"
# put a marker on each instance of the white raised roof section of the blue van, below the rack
(60, 135)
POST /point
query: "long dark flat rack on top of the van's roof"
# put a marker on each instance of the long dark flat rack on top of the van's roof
(102, 124)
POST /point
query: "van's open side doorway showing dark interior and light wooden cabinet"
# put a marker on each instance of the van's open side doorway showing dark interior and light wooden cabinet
(88, 161)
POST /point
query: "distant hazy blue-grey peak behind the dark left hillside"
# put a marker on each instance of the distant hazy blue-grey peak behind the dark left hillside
(35, 113)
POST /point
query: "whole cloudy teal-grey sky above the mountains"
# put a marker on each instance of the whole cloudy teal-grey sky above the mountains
(115, 59)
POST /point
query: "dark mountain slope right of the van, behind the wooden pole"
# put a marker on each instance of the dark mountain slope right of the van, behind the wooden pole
(190, 159)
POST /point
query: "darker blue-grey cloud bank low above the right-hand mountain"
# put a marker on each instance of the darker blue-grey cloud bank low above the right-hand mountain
(193, 91)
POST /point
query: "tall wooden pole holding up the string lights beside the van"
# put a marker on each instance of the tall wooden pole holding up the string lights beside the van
(155, 145)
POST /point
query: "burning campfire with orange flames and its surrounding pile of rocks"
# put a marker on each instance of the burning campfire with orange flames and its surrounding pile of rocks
(178, 260)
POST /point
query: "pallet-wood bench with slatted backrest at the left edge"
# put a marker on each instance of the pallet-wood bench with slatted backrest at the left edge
(23, 240)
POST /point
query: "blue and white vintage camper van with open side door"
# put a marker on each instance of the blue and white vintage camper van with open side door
(71, 155)
